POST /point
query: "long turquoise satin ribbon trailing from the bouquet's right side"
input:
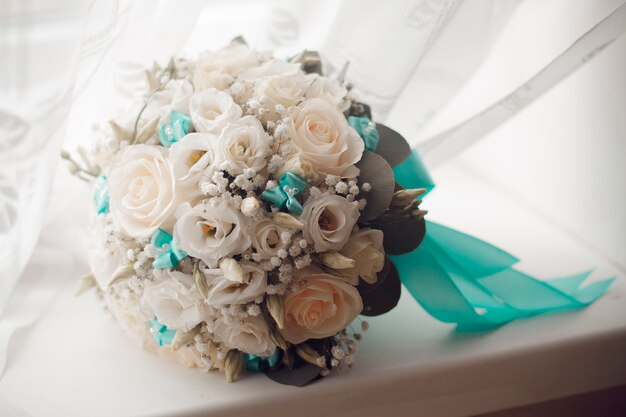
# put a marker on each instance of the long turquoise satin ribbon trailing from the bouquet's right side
(460, 279)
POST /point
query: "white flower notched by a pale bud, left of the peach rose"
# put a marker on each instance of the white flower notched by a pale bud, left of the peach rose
(224, 291)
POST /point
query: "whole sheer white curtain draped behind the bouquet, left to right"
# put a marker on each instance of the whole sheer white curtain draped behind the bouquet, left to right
(67, 64)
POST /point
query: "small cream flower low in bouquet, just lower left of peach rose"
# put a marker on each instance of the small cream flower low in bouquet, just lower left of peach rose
(250, 335)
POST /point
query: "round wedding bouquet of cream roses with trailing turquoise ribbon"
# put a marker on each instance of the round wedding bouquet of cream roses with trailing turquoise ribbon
(249, 210)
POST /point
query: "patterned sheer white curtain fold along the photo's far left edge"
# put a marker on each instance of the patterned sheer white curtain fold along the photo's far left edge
(40, 42)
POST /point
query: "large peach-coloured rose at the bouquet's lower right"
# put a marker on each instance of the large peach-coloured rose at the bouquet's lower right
(322, 306)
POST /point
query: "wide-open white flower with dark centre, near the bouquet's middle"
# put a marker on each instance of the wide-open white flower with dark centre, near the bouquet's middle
(211, 232)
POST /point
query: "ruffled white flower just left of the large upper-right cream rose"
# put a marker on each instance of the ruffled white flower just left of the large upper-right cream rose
(244, 144)
